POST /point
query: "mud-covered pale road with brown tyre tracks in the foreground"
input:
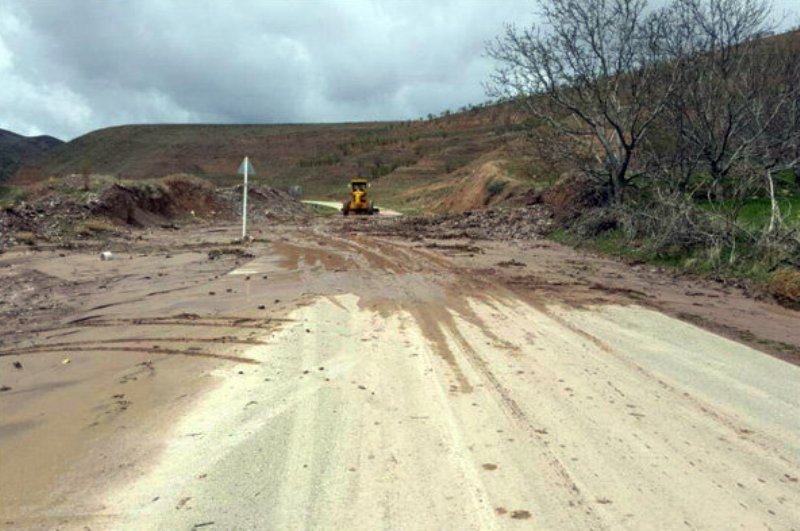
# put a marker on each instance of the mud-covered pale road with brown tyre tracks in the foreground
(326, 376)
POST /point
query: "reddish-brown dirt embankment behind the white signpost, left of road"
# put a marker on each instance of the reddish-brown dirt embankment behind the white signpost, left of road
(79, 207)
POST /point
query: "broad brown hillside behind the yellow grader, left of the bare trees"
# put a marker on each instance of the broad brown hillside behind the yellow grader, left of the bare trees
(413, 164)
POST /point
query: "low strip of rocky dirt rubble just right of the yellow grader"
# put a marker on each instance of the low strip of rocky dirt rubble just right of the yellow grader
(523, 223)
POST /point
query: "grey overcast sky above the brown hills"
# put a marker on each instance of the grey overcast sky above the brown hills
(71, 66)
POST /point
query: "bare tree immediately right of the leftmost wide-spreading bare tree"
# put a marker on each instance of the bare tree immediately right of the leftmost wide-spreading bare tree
(719, 45)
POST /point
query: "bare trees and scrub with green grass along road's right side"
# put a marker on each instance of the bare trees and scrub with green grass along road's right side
(680, 125)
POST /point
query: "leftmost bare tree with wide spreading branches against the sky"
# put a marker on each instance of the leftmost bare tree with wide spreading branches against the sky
(595, 72)
